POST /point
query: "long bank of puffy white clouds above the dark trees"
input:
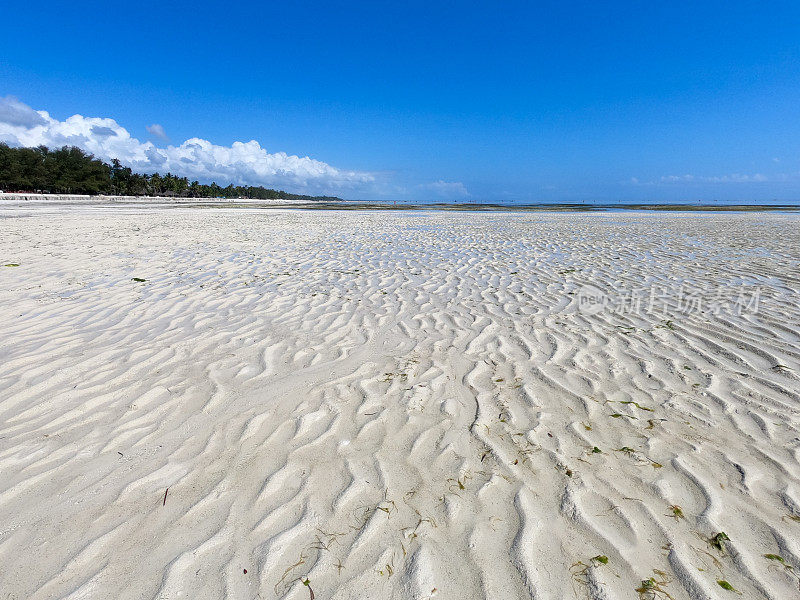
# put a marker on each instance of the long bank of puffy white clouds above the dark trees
(241, 163)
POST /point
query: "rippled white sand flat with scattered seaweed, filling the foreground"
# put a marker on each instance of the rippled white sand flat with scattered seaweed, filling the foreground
(393, 405)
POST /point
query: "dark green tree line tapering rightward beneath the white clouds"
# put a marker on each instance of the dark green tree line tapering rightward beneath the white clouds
(70, 170)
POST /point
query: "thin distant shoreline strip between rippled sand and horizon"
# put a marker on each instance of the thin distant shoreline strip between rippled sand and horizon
(33, 199)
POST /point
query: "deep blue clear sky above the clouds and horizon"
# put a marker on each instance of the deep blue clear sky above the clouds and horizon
(509, 101)
